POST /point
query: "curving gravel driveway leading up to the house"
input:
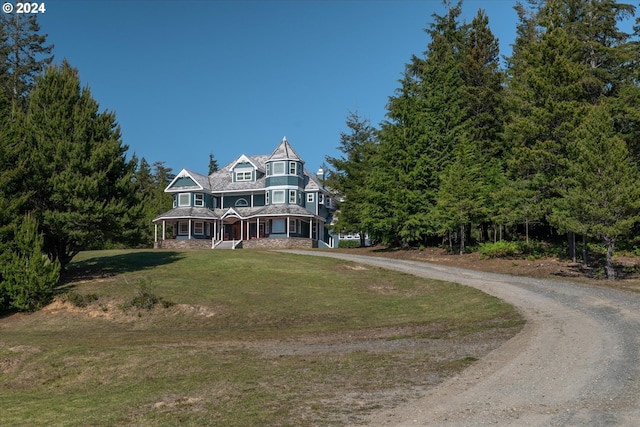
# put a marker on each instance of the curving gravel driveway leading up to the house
(575, 363)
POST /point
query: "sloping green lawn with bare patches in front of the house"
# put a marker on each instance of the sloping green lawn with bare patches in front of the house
(250, 338)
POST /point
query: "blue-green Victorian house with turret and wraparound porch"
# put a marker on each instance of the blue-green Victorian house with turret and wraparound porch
(255, 201)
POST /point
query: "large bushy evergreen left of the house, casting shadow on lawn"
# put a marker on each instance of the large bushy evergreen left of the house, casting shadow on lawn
(79, 180)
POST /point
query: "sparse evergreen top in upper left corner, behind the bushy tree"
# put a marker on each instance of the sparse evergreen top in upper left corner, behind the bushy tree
(25, 54)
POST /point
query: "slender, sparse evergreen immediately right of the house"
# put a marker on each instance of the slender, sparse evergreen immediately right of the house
(350, 172)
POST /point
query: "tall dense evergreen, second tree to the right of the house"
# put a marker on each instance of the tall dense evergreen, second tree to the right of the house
(418, 139)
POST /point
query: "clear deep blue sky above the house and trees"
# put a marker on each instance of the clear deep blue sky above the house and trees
(187, 78)
